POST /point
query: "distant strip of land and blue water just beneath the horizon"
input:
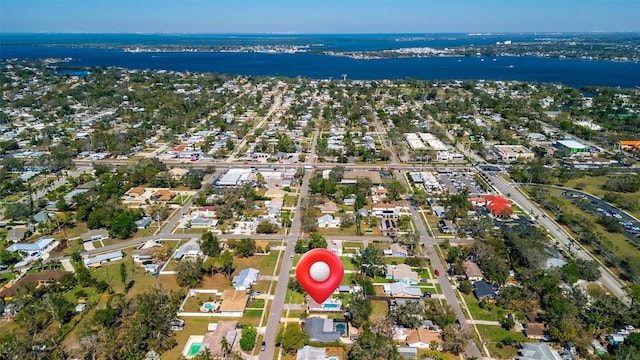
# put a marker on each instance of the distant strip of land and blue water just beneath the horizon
(620, 47)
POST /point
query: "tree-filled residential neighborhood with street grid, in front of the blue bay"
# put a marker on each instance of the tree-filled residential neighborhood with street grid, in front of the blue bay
(162, 214)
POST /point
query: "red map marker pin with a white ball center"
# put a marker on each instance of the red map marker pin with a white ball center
(319, 272)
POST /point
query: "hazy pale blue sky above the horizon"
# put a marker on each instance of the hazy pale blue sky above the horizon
(319, 16)
